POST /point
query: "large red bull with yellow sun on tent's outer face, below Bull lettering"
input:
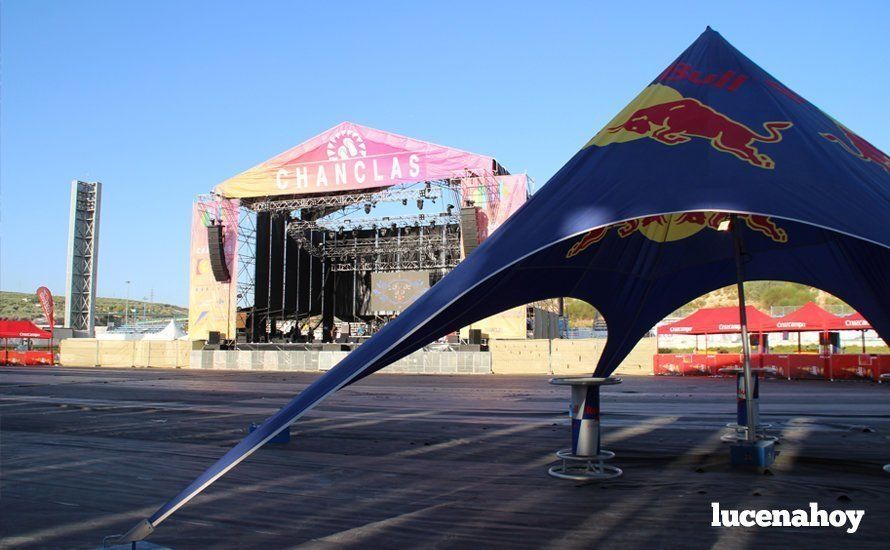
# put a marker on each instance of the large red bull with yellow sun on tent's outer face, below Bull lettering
(663, 114)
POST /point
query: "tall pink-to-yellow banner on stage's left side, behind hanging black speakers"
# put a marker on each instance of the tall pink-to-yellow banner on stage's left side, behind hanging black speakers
(212, 303)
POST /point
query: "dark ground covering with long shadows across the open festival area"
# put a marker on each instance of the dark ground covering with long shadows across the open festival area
(406, 461)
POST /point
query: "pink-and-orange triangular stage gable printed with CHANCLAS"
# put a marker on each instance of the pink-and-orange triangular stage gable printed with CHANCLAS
(350, 157)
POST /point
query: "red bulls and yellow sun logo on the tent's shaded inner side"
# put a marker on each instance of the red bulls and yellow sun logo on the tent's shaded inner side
(673, 227)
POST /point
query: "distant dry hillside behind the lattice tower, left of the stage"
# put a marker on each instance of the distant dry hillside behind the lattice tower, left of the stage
(20, 305)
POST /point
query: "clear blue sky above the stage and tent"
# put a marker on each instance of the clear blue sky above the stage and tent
(162, 100)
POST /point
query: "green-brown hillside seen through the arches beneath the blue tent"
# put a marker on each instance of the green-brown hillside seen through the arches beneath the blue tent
(762, 294)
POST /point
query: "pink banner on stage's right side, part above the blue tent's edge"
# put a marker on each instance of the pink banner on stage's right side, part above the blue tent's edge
(497, 197)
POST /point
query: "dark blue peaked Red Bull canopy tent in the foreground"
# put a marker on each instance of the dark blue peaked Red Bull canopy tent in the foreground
(630, 223)
